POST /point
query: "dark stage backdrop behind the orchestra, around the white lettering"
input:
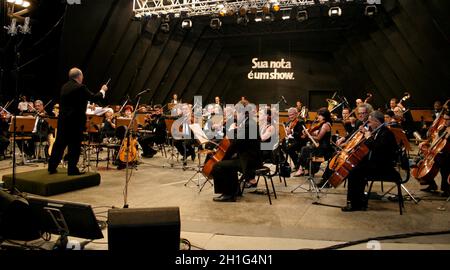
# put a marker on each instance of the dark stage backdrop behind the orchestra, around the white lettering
(404, 48)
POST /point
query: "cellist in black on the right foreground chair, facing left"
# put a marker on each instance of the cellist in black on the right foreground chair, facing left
(378, 162)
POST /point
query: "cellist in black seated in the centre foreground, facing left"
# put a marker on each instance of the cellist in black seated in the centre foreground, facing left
(242, 155)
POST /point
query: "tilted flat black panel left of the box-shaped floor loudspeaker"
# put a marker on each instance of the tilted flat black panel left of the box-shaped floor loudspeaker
(65, 219)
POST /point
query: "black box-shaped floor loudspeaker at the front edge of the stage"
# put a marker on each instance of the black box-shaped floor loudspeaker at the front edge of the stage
(144, 229)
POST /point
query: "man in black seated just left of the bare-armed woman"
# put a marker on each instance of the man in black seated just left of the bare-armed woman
(294, 141)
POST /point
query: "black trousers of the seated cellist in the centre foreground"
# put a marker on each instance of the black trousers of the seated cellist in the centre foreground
(225, 176)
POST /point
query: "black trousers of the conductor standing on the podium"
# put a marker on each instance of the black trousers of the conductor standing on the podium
(70, 136)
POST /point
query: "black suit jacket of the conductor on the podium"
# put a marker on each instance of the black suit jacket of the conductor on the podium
(73, 103)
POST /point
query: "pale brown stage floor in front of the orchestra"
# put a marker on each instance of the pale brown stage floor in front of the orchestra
(291, 222)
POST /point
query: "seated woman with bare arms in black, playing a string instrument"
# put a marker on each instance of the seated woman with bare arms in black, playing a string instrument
(321, 133)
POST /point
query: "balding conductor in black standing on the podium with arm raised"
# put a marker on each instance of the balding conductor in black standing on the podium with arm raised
(72, 121)
